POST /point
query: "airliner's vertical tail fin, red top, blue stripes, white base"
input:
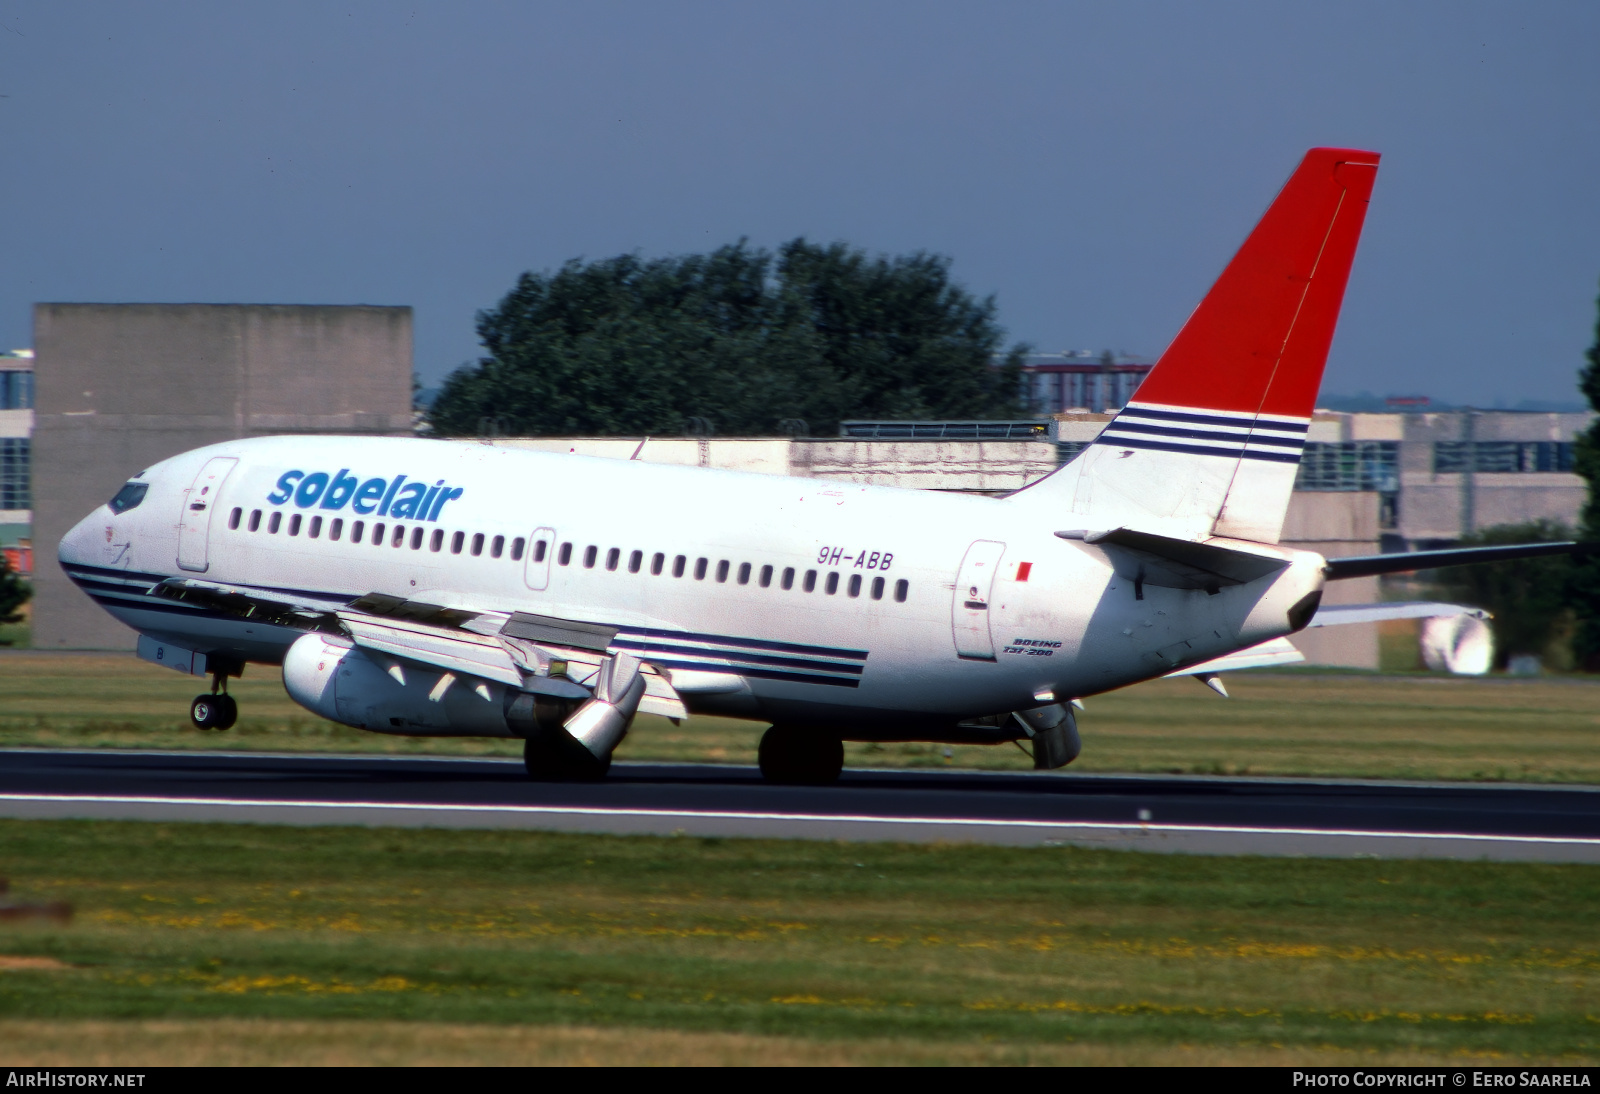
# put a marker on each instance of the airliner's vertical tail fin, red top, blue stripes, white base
(1212, 441)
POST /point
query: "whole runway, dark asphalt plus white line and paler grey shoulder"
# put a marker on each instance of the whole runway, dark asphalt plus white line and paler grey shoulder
(1150, 813)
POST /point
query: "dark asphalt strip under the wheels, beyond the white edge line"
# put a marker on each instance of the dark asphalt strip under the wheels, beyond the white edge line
(954, 796)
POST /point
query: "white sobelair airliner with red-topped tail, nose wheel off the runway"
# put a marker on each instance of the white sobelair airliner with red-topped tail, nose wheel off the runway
(462, 589)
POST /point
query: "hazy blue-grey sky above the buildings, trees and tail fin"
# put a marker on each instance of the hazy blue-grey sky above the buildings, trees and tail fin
(1092, 166)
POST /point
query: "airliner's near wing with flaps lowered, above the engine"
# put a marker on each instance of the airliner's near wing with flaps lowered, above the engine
(535, 653)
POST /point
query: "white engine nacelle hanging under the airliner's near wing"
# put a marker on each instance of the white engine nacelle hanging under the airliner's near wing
(332, 677)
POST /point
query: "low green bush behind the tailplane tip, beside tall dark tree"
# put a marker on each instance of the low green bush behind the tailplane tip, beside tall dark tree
(1529, 597)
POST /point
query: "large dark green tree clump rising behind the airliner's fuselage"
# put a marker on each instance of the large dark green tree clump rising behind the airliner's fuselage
(737, 337)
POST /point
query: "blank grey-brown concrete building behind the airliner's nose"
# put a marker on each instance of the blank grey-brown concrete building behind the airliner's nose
(121, 386)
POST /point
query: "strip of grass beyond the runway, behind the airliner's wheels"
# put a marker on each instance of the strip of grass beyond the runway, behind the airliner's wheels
(1306, 724)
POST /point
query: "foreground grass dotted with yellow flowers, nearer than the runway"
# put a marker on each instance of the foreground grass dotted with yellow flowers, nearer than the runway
(226, 943)
